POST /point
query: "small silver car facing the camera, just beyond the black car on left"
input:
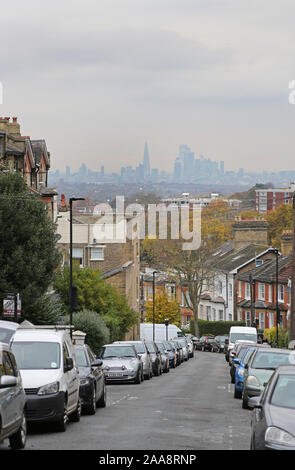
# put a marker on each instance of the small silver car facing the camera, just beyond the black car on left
(121, 363)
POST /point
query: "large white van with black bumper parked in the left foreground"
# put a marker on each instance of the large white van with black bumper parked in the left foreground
(50, 376)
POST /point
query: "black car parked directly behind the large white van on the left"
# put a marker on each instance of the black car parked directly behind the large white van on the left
(92, 380)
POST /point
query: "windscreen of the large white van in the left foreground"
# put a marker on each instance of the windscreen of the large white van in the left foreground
(36, 355)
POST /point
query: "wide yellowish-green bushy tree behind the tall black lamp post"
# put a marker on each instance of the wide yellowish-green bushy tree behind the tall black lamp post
(95, 294)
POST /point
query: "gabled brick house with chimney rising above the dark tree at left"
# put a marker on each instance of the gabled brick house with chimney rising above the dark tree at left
(29, 157)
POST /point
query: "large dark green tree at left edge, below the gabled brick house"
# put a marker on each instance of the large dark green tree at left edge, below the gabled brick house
(28, 253)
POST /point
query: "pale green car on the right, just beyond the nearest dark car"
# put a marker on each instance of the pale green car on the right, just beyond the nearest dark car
(260, 368)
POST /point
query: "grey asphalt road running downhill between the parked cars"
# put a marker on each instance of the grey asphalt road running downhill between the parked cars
(190, 408)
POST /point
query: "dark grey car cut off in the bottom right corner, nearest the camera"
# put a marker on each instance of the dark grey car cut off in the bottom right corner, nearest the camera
(273, 417)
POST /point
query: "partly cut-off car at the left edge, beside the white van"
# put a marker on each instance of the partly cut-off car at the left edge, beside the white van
(12, 401)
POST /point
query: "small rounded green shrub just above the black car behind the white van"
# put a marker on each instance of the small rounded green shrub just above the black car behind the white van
(91, 323)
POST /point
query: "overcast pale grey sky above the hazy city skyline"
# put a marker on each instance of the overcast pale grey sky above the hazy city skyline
(97, 79)
